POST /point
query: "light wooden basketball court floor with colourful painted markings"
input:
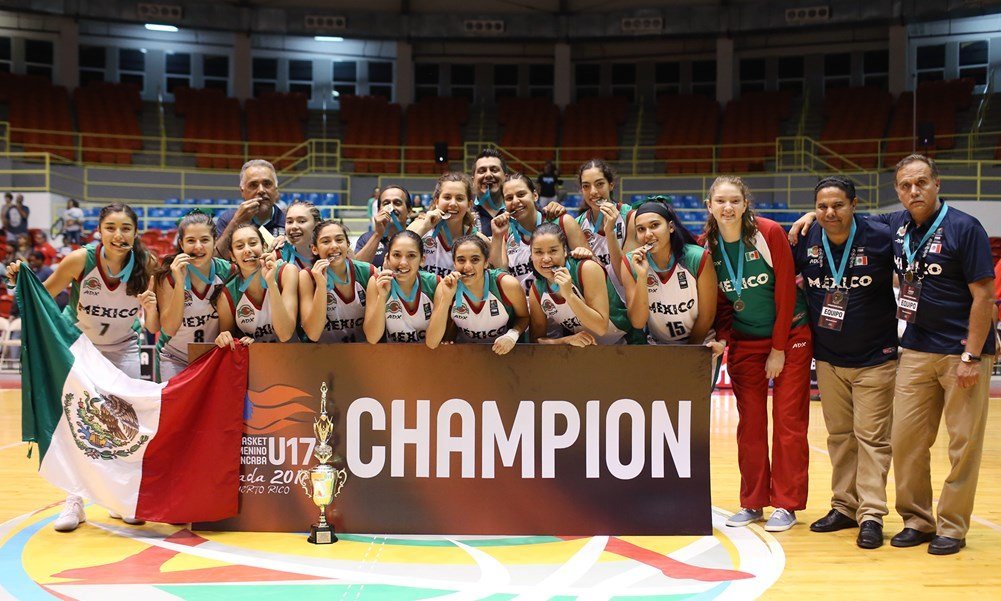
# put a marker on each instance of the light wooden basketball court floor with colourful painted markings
(106, 559)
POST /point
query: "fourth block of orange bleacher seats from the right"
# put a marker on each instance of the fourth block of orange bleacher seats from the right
(687, 121)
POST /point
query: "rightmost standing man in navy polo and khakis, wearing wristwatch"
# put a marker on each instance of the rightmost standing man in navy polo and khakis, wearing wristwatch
(944, 261)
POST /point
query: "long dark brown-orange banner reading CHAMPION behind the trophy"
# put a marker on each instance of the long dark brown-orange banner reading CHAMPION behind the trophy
(547, 439)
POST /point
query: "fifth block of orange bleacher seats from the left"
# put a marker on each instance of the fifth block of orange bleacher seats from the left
(371, 122)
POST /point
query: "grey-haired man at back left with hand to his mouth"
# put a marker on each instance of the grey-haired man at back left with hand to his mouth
(260, 190)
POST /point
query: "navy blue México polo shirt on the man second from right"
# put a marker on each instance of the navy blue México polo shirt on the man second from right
(868, 335)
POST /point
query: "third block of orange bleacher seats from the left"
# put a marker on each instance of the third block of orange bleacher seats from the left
(212, 128)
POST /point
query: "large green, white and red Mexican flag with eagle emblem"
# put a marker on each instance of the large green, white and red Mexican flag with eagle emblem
(159, 452)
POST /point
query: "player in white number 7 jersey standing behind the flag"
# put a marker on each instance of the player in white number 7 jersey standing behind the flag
(114, 277)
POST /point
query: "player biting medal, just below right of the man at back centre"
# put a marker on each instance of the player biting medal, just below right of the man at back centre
(521, 219)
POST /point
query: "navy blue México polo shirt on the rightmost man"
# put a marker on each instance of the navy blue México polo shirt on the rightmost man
(959, 254)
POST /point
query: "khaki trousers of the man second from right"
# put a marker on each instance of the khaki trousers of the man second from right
(858, 411)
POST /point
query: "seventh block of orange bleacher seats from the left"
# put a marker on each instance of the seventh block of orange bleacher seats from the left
(530, 131)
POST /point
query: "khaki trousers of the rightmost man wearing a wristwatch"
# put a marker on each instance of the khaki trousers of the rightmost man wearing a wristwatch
(927, 389)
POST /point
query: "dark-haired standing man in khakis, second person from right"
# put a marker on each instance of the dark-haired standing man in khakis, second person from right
(847, 268)
